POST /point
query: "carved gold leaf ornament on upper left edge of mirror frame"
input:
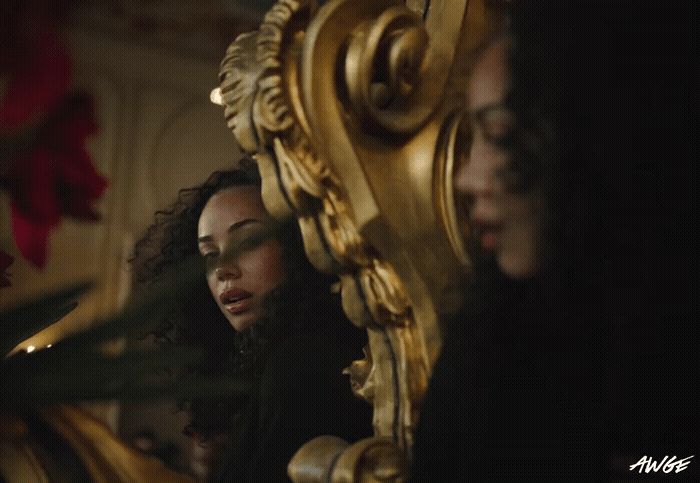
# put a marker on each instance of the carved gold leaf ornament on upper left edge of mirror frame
(259, 110)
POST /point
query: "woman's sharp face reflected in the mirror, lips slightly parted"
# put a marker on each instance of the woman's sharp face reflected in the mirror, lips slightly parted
(240, 285)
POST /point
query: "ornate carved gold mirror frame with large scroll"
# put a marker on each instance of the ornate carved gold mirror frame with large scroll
(353, 112)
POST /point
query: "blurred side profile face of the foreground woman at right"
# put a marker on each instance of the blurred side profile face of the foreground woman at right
(507, 223)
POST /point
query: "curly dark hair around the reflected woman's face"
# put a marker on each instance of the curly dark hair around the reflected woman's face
(197, 321)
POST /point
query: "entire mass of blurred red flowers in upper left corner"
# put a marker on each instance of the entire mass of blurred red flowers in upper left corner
(43, 161)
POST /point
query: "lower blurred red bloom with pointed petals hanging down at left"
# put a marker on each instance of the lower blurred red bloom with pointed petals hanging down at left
(54, 177)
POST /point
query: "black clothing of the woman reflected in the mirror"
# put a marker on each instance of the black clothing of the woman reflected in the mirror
(301, 394)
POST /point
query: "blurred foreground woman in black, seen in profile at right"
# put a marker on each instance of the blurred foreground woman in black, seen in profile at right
(554, 366)
